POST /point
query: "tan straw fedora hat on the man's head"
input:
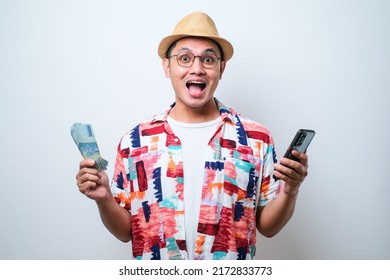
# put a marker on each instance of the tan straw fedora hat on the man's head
(196, 24)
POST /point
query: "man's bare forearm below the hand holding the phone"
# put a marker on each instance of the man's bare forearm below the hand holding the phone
(275, 215)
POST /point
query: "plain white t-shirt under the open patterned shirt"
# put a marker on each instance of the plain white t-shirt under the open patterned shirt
(194, 138)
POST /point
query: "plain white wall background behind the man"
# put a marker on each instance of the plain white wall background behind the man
(298, 64)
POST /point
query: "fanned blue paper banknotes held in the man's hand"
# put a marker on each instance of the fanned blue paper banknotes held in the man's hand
(85, 140)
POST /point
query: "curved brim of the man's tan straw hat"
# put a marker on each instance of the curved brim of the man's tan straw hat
(167, 42)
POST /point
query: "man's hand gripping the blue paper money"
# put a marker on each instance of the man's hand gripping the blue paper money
(92, 182)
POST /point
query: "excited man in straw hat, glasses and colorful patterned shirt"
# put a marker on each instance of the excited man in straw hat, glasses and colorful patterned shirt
(195, 181)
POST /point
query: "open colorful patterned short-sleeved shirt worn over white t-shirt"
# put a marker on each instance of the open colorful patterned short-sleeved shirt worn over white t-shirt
(149, 182)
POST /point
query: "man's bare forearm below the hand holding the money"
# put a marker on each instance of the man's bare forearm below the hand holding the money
(115, 218)
